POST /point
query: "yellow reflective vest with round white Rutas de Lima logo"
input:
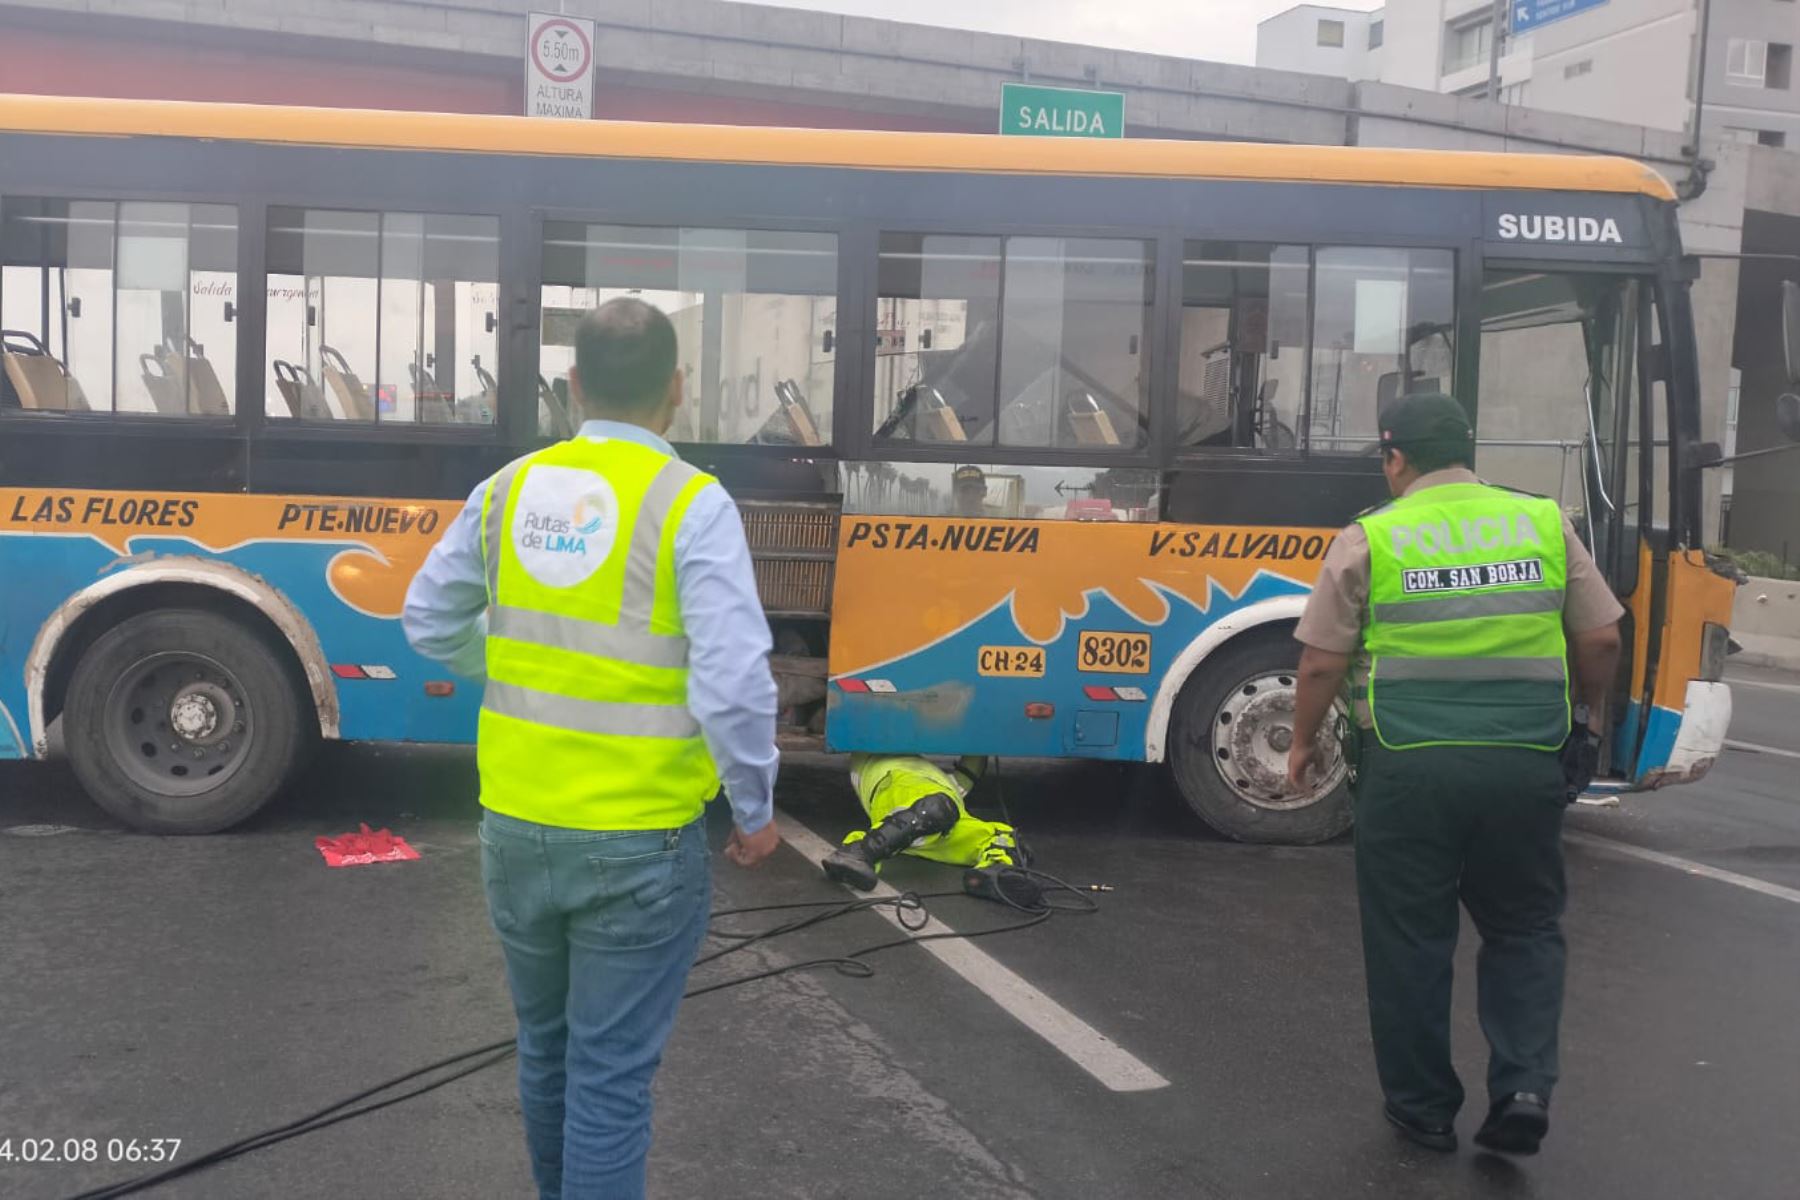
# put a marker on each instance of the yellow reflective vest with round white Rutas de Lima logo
(584, 721)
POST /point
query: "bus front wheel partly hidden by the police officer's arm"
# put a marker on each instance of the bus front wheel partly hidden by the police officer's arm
(1228, 742)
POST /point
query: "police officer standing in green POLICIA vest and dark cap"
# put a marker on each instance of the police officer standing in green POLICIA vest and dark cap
(1457, 613)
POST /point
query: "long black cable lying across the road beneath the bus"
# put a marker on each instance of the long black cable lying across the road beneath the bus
(910, 911)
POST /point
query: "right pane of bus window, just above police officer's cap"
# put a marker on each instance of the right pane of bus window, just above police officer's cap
(1383, 327)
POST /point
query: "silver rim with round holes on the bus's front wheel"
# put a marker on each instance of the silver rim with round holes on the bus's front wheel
(1254, 731)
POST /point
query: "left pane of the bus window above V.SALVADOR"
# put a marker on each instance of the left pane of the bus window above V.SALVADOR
(1243, 346)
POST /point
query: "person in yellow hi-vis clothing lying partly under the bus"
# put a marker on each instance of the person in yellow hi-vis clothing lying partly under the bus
(917, 809)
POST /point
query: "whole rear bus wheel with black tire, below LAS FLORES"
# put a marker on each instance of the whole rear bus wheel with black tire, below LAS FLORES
(183, 721)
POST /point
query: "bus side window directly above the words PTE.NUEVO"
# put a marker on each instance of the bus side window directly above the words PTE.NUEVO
(382, 318)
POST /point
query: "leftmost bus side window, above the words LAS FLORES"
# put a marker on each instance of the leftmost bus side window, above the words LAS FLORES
(125, 307)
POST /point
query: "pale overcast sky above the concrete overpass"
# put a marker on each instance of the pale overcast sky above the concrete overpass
(1214, 30)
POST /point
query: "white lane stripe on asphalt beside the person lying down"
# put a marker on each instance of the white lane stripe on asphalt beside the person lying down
(1068, 1034)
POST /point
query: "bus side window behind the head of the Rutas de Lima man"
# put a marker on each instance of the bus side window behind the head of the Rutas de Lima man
(755, 321)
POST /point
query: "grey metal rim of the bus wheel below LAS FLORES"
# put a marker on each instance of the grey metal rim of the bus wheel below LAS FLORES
(179, 724)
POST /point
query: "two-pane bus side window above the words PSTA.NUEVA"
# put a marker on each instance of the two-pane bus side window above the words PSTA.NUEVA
(1032, 343)
